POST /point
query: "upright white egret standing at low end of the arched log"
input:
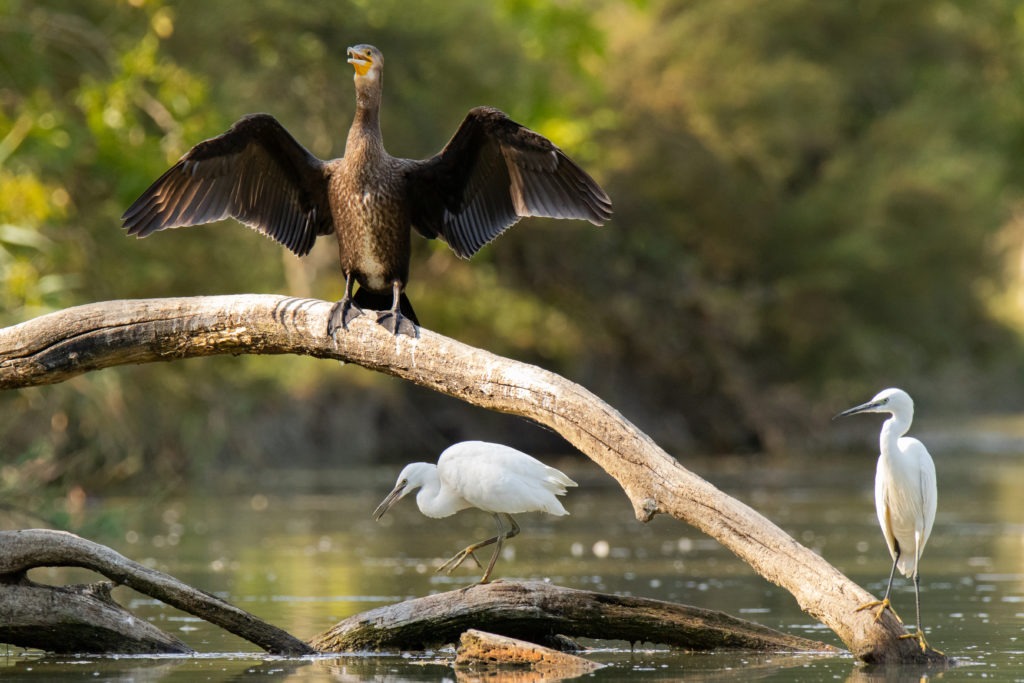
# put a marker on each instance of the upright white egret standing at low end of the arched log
(906, 495)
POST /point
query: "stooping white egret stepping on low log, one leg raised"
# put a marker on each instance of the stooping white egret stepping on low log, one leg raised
(493, 478)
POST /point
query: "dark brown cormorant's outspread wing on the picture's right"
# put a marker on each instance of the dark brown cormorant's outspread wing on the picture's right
(492, 174)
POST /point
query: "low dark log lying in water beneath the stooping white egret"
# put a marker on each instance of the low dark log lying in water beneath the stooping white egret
(536, 612)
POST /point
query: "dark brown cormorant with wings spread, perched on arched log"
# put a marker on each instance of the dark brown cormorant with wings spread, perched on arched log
(492, 174)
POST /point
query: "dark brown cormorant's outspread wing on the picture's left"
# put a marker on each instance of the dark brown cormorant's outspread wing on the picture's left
(257, 174)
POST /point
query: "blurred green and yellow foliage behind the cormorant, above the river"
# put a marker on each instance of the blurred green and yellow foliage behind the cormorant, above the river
(814, 201)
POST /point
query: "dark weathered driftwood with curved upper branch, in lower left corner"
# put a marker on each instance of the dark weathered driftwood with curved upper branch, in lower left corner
(42, 617)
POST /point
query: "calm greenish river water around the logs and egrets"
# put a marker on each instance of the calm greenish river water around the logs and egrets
(301, 550)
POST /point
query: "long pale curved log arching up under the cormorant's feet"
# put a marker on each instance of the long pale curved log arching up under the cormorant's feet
(56, 348)
